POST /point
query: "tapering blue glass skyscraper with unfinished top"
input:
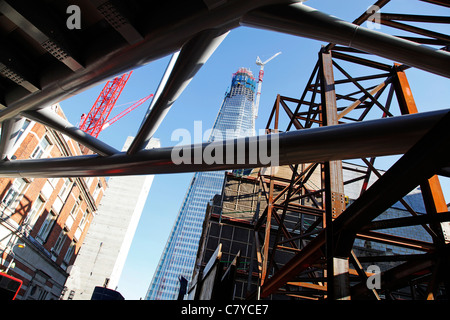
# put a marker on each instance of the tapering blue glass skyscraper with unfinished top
(236, 118)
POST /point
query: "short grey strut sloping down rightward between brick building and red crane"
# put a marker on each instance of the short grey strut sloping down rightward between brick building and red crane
(50, 119)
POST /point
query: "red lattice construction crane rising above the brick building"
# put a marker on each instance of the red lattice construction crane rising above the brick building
(97, 118)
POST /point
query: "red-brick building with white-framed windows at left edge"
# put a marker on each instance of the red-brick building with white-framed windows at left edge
(43, 221)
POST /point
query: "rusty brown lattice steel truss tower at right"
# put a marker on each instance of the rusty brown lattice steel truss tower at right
(324, 264)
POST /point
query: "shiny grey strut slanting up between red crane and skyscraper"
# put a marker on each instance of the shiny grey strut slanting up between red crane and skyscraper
(191, 58)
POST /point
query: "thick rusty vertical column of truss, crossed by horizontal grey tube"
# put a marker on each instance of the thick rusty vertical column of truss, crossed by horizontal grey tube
(338, 286)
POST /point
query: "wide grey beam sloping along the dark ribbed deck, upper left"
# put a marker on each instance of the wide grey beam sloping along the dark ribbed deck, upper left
(110, 57)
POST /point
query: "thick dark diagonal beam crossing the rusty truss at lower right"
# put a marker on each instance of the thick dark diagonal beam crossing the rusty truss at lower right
(420, 161)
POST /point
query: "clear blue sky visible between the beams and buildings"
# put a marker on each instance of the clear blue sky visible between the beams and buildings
(286, 75)
